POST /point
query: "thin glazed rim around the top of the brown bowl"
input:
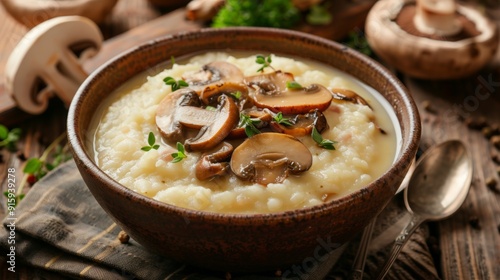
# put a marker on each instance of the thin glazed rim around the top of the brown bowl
(404, 156)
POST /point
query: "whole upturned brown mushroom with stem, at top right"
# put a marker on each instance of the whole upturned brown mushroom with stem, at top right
(431, 39)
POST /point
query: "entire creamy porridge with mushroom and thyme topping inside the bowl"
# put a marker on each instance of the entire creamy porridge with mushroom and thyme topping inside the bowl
(240, 133)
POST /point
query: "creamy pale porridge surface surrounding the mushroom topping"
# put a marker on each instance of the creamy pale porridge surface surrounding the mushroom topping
(364, 138)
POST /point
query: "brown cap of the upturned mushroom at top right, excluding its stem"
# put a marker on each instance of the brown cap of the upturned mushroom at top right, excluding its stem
(428, 58)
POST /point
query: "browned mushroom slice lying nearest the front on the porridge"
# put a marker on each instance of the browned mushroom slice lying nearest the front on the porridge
(269, 158)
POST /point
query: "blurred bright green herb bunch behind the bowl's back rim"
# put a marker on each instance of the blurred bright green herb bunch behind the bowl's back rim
(269, 13)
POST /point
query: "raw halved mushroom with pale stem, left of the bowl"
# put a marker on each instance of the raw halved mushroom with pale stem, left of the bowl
(47, 62)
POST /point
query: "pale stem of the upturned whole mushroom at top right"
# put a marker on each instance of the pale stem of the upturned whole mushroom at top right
(437, 17)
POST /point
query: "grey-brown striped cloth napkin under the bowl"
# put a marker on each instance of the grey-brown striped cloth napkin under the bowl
(60, 228)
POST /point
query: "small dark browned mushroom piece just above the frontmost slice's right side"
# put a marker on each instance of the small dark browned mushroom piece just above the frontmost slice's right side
(303, 124)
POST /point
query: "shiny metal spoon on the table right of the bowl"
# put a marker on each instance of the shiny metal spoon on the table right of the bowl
(437, 188)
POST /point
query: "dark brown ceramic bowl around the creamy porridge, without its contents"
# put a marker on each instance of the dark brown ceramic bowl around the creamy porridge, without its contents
(241, 242)
